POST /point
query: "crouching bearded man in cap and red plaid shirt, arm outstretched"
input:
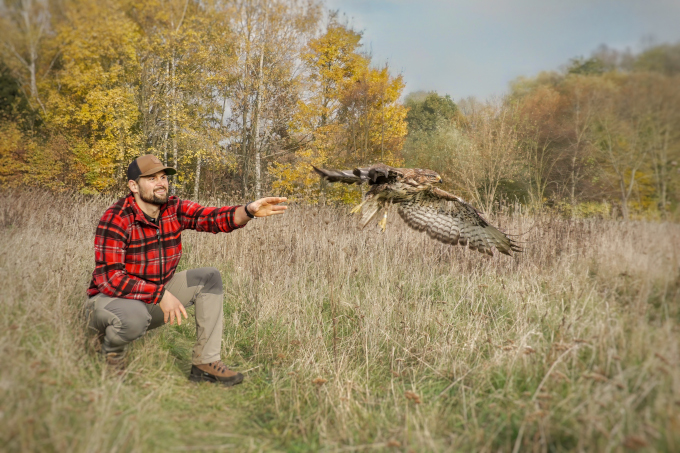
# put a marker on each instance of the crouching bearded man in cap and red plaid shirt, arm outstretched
(138, 245)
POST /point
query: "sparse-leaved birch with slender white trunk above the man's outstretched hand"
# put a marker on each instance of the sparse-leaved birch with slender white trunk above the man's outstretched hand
(270, 40)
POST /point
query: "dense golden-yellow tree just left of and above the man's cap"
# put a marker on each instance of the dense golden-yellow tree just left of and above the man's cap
(91, 101)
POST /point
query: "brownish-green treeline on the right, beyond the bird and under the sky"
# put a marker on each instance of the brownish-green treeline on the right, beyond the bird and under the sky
(600, 137)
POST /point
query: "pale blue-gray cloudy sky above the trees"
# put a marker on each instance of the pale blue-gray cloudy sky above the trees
(476, 47)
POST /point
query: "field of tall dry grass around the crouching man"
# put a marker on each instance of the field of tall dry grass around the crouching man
(353, 340)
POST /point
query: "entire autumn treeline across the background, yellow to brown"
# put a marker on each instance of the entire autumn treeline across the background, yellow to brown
(242, 96)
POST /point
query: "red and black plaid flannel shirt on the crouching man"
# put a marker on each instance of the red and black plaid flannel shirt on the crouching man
(130, 263)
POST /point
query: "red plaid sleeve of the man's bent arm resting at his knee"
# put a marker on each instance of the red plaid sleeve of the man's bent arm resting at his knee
(109, 274)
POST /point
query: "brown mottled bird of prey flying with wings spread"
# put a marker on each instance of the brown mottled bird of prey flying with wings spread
(423, 206)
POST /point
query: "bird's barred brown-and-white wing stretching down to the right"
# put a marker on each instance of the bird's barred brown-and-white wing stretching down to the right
(447, 218)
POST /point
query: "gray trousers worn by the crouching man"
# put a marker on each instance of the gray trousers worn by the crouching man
(121, 321)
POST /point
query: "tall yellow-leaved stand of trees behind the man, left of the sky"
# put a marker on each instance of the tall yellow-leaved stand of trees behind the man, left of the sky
(235, 94)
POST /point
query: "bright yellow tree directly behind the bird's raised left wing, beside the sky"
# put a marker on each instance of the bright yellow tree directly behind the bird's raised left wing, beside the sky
(350, 111)
